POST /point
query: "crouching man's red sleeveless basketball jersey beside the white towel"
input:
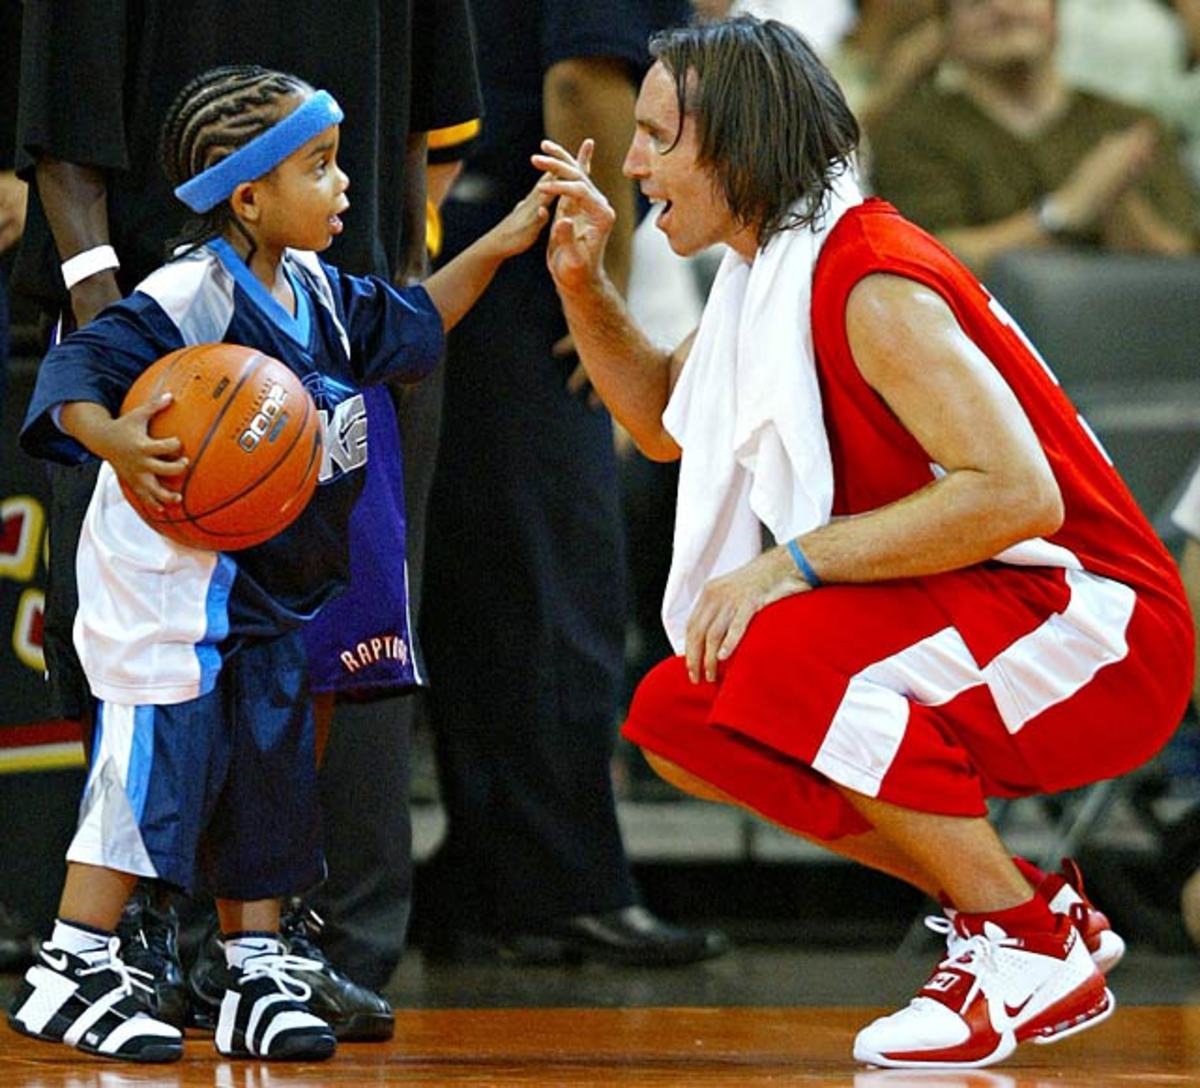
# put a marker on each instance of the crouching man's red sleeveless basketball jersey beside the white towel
(877, 461)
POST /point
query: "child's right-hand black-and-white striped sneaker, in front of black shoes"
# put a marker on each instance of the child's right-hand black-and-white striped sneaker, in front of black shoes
(263, 1011)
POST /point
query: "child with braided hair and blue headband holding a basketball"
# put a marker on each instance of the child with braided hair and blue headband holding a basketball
(221, 768)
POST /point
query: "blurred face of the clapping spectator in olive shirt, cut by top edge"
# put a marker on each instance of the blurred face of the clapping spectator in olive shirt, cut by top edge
(994, 35)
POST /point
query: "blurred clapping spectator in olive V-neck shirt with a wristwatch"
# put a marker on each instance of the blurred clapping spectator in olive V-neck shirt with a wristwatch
(1004, 154)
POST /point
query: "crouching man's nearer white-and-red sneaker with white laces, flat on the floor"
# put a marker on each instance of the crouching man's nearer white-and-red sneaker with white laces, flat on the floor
(992, 993)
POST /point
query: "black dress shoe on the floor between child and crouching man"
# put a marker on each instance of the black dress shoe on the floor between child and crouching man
(632, 936)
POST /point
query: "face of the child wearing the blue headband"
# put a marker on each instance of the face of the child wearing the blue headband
(303, 199)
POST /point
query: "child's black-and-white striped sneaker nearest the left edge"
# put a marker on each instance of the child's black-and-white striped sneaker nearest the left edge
(95, 1003)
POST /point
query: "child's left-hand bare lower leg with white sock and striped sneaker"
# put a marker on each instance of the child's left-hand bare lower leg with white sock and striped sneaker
(81, 991)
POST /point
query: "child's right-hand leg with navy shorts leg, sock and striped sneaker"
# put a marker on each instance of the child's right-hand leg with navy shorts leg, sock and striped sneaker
(262, 841)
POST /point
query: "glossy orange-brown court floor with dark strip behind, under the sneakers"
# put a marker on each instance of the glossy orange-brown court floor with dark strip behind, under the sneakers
(763, 1015)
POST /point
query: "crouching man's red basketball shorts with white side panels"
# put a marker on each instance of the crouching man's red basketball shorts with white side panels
(931, 694)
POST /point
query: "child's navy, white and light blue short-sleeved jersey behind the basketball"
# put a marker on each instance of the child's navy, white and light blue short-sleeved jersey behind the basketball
(347, 333)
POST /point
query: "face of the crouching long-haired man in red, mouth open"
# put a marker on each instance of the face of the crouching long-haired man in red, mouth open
(694, 214)
